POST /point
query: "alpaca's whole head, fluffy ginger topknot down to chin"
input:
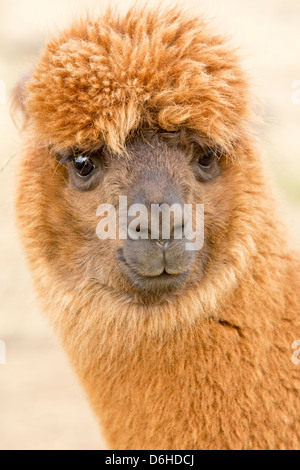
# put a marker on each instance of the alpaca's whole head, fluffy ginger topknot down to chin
(150, 107)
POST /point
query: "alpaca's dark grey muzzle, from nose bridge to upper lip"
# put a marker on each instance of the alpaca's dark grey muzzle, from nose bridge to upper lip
(156, 246)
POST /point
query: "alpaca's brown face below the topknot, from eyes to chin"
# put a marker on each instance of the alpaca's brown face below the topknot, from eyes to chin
(157, 168)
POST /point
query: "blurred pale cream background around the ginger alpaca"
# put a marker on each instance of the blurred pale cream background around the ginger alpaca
(41, 404)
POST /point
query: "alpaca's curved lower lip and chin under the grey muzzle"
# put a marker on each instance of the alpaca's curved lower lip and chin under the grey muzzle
(160, 283)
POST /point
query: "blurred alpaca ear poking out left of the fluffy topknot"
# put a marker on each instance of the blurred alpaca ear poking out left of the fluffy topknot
(18, 107)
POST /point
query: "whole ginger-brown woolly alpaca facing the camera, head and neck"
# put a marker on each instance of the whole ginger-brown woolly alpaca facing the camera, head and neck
(175, 349)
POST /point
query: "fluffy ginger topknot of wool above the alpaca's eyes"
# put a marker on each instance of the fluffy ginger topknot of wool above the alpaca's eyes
(102, 79)
